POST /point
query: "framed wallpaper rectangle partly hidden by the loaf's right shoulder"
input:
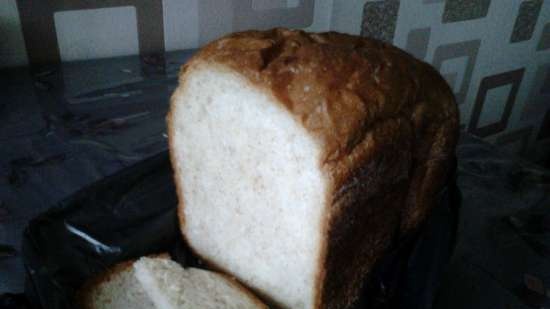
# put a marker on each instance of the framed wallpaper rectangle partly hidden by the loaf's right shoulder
(464, 55)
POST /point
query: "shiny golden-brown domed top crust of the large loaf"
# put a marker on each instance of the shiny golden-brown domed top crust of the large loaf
(337, 85)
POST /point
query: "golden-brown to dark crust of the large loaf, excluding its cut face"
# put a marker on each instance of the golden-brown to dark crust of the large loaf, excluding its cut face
(388, 125)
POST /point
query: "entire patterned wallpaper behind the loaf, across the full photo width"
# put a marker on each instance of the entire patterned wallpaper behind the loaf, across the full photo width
(495, 54)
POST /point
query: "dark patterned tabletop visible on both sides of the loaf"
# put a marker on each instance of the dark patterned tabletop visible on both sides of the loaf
(64, 127)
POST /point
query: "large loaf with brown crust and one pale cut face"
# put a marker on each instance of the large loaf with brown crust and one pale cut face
(301, 158)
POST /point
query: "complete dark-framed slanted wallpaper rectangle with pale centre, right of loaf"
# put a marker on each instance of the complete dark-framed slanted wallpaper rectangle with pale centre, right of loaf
(490, 99)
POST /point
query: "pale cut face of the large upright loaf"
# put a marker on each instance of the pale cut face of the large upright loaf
(252, 188)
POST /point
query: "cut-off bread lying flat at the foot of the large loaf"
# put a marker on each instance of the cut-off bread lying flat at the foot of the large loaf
(159, 283)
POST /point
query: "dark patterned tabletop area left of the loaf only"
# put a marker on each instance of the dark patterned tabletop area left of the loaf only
(65, 127)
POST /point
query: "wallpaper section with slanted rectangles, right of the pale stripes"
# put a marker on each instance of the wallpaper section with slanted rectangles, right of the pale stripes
(494, 54)
